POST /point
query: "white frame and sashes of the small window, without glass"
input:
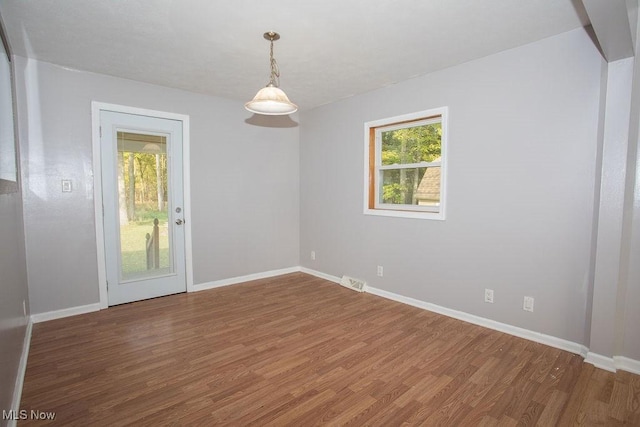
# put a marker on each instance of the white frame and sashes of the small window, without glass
(373, 129)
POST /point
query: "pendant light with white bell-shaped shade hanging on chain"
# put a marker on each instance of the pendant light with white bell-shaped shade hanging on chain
(271, 100)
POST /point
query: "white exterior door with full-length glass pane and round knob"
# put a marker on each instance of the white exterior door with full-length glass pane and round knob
(142, 194)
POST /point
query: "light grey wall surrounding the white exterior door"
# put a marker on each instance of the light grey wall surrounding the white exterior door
(244, 182)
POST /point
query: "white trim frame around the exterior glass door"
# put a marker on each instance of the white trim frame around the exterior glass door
(96, 108)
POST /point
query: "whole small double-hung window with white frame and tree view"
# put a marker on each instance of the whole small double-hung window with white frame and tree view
(406, 157)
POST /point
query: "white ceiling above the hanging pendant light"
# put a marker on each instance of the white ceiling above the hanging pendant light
(330, 49)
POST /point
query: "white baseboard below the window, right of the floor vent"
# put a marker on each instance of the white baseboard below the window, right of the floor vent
(541, 338)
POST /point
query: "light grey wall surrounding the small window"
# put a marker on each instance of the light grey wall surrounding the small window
(522, 153)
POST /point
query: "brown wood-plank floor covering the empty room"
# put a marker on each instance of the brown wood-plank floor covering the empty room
(298, 350)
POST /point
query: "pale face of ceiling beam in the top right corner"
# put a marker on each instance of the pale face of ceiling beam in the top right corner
(610, 21)
